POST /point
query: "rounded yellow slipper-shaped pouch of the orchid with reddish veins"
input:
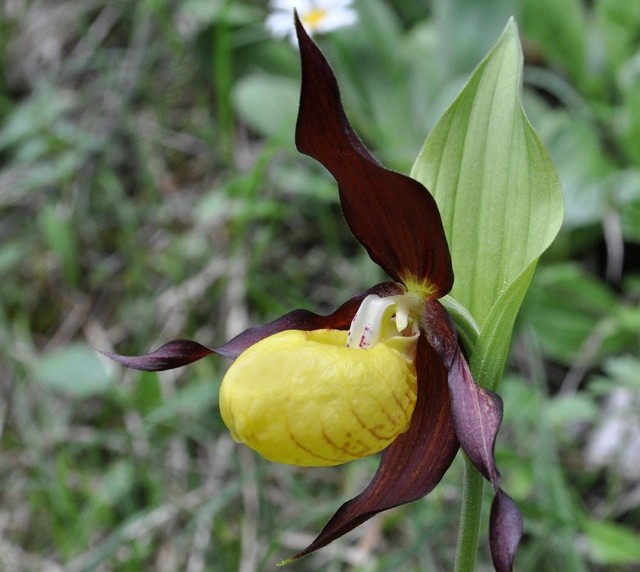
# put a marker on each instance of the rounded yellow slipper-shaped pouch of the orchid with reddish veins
(308, 399)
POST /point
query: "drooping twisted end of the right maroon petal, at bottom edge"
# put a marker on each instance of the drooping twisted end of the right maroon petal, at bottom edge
(505, 531)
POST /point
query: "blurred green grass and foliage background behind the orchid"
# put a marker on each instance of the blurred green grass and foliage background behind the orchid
(150, 189)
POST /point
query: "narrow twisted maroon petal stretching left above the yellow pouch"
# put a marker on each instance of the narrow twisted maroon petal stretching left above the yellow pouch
(183, 352)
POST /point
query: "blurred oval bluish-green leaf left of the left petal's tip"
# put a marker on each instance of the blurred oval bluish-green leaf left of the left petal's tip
(75, 370)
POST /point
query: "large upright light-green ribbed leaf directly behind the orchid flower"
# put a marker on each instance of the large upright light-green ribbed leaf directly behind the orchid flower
(496, 188)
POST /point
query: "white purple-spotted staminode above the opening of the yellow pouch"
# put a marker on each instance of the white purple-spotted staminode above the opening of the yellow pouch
(384, 320)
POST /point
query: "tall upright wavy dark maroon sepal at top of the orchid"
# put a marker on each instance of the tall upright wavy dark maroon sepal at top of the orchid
(393, 216)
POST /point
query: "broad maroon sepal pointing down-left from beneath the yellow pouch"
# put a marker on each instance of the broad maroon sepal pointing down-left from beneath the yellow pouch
(413, 464)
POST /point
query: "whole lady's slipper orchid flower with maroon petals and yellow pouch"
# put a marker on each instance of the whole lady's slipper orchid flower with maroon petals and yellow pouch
(385, 371)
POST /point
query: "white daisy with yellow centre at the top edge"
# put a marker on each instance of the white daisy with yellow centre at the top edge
(317, 16)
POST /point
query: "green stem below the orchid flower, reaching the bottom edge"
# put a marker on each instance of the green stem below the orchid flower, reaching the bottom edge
(469, 519)
